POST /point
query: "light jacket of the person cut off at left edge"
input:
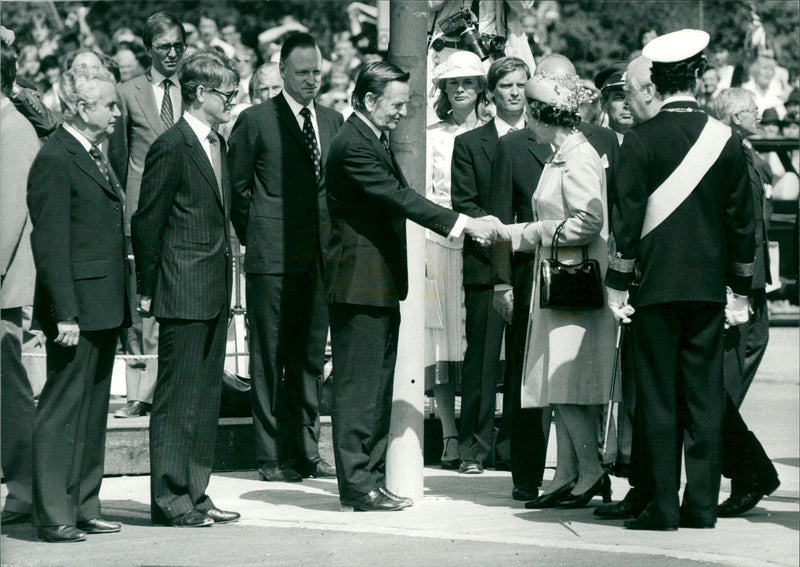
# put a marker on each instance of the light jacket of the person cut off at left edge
(18, 147)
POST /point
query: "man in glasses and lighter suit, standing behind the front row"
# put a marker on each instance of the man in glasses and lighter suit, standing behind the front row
(150, 104)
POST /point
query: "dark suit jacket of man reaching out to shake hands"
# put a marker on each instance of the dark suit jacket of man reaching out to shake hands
(369, 202)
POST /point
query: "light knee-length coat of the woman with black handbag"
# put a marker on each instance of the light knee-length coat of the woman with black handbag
(569, 355)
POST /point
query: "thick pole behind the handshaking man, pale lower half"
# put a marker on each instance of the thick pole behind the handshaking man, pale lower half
(404, 460)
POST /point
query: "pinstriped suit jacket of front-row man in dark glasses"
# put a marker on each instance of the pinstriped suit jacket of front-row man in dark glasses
(180, 232)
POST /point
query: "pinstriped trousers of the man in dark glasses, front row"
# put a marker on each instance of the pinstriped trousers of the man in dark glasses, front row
(183, 421)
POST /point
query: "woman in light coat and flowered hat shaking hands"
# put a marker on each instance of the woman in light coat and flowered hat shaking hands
(569, 356)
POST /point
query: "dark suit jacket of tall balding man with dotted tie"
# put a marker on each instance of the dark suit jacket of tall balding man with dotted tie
(279, 210)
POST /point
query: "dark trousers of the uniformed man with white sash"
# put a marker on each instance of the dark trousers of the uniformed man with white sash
(679, 348)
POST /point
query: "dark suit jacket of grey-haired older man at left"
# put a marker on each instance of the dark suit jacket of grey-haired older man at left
(77, 239)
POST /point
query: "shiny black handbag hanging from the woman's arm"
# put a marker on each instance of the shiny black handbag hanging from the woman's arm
(569, 286)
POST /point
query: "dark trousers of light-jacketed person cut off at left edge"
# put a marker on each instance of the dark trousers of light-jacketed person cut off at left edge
(16, 414)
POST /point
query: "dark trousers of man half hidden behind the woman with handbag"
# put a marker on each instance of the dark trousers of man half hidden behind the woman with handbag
(530, 426)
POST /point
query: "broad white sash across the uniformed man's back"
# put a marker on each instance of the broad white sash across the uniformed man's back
(681, 182)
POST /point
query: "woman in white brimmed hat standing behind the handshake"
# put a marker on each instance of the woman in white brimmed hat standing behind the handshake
(460, 107)
